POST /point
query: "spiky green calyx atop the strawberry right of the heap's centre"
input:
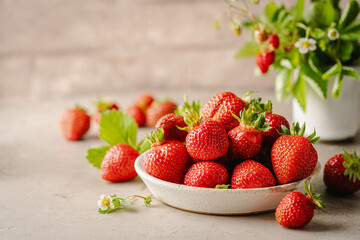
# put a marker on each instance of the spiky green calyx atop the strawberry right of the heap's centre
(252, 119)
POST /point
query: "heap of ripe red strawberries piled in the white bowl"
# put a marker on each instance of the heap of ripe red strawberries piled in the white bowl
(231, 140)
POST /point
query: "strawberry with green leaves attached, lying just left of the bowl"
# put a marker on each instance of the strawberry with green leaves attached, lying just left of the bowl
(116, 160)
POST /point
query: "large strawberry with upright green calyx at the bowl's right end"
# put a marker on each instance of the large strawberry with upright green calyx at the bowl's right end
(293, 156)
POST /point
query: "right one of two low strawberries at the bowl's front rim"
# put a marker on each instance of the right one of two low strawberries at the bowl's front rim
(251, 174)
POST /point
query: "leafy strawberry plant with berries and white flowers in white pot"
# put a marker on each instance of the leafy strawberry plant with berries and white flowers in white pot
(306, 45)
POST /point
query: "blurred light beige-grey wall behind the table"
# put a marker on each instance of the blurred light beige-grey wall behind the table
(57, 48)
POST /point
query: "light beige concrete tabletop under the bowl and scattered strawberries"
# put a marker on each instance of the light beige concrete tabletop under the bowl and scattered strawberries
(48, 190)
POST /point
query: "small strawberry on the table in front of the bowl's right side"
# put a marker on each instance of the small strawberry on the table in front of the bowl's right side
(296, 210)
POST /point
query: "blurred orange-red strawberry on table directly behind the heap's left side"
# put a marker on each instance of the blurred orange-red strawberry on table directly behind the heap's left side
(158, 109)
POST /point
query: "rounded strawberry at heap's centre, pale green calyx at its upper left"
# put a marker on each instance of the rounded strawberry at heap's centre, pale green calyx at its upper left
(206, 139)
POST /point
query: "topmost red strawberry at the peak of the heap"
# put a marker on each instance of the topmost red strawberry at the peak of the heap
(220, 107)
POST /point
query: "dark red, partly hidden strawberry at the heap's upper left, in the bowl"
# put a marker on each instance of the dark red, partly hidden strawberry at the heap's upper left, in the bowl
(170, 123)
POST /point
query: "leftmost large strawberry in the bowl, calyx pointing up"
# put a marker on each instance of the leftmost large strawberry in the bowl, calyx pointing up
(166, 160)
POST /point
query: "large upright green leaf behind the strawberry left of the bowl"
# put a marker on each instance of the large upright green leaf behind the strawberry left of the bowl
(117, 127)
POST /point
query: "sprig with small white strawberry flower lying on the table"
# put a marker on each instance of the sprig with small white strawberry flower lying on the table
(111, 203)
